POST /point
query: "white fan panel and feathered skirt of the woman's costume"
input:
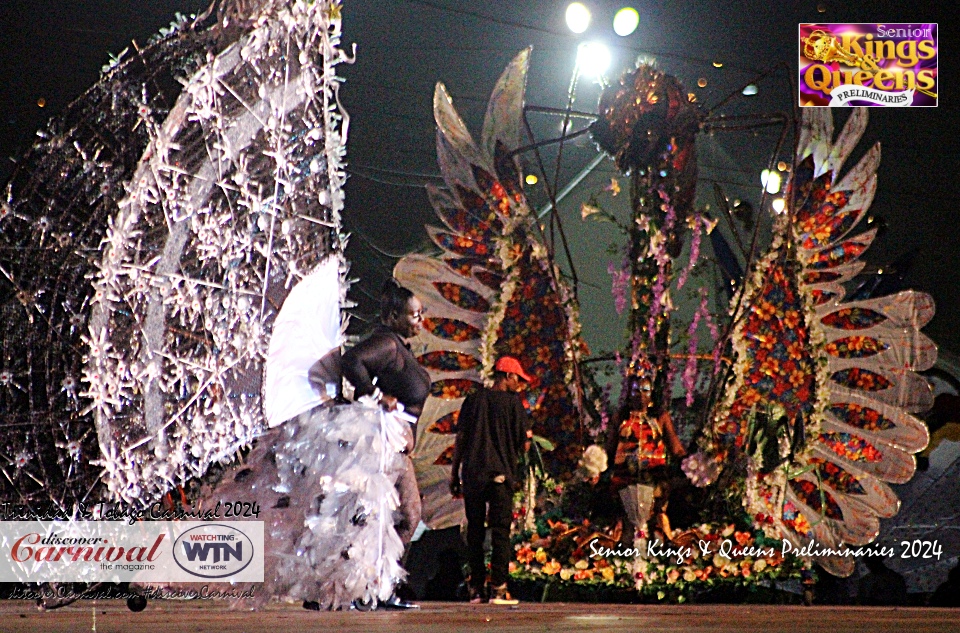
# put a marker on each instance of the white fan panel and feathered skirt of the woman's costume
(323, 474)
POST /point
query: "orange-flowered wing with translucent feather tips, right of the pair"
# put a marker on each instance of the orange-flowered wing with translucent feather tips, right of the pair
(845, 369)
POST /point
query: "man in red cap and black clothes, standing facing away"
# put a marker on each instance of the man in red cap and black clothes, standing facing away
(493, 429)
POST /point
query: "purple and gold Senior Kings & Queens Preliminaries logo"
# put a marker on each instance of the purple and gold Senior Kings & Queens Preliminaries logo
(868, 65)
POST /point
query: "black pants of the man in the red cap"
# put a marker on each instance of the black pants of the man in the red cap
(499, 518)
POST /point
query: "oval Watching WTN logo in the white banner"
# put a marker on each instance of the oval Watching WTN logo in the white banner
(213, 551)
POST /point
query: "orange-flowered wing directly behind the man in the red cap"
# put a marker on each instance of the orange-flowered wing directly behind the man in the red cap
(491, 290)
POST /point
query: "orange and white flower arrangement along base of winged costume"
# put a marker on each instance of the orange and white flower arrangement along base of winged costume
(574, 556)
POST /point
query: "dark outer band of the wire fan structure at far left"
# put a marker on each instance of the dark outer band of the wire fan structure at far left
(52, 218)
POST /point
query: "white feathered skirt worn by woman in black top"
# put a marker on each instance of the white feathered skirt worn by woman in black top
(325, 482)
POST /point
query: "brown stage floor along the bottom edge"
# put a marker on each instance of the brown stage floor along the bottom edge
(434, 617)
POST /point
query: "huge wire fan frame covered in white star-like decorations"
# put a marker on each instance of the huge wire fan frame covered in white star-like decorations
(148, 242)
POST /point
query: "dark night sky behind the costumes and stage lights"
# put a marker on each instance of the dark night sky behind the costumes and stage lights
(52, 50)
